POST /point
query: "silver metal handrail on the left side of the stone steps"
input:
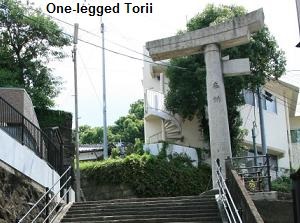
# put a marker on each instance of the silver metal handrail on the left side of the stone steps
(48, 198)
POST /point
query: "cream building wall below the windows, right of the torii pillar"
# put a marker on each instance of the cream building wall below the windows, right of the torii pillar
(275, 128)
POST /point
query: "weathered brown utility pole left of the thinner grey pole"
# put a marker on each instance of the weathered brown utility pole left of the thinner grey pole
(77, 174)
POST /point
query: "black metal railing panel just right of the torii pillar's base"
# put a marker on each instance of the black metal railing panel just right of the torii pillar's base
(254, 171)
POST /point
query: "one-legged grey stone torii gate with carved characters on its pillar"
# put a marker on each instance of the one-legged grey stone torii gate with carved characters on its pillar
(210, 41)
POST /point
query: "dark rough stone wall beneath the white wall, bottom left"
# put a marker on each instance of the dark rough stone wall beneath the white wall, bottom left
(17, 194)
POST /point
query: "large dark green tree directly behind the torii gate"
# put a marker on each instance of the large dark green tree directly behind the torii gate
(187, 95)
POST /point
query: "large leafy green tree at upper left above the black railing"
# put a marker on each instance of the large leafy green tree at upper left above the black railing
(28, 41)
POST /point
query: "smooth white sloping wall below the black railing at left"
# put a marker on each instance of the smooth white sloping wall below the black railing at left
(27, 162)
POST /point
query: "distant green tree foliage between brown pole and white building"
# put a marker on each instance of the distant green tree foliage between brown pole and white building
(126, 129)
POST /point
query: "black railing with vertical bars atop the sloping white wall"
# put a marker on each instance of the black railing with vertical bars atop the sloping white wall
(24, 131)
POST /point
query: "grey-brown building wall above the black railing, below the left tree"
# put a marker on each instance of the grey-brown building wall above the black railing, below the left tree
(21, 101)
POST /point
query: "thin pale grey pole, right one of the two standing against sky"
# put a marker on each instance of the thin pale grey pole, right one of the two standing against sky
(105, 144)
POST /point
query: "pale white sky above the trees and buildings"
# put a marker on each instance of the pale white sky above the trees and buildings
(132, 31)
